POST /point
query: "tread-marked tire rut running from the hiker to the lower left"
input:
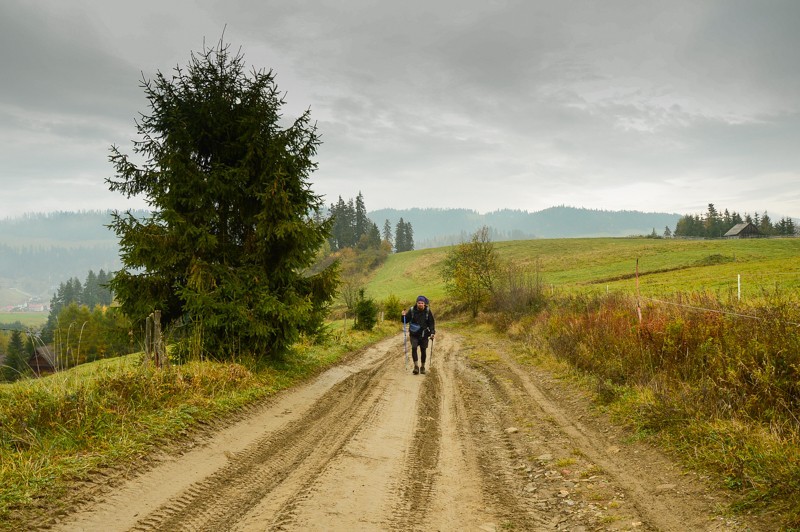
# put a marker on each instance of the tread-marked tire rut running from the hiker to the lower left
(301, 451)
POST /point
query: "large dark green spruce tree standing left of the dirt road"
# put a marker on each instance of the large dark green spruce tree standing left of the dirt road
(233, 225)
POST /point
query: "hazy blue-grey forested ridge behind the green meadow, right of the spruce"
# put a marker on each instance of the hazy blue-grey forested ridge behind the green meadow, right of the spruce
(440, 227)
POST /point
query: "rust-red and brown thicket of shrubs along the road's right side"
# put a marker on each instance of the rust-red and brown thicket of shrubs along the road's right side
(741, 360)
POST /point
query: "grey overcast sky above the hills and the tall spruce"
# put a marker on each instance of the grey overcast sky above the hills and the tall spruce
(483, 104)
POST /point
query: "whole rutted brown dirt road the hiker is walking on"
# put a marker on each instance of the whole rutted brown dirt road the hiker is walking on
(478, 443)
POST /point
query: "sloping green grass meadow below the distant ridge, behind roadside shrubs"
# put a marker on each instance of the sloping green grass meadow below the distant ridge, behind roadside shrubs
(590, 265)
